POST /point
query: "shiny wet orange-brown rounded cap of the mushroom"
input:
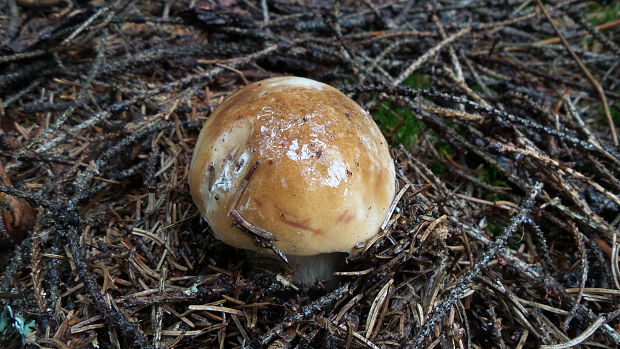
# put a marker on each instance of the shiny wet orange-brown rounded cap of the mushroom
(297, 158)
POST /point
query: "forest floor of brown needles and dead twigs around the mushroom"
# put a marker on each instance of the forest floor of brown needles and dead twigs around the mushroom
(501, 118)
